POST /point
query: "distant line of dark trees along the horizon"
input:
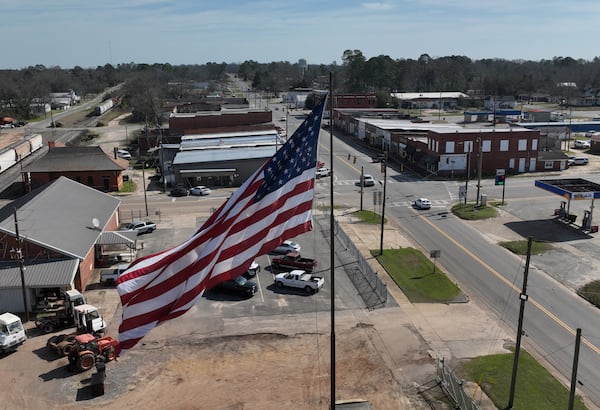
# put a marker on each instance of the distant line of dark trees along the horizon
(148, 86)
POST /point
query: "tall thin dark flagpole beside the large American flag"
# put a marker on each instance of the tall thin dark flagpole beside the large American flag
(331, 241)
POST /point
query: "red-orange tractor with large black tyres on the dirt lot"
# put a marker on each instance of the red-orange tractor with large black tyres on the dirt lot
(88, 350)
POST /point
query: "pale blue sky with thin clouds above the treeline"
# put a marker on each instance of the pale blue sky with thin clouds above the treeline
(67, 33)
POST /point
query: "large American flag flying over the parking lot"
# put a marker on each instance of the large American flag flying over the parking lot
(273, 205)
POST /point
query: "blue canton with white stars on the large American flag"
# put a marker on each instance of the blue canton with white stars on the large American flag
(297, 155)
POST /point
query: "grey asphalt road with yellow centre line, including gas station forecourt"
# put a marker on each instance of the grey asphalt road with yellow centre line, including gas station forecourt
(489, 273)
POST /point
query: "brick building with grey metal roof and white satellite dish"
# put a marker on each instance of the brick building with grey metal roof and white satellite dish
(60, 224)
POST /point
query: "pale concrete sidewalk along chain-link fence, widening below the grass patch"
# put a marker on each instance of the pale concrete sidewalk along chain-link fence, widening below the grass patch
(450, 331)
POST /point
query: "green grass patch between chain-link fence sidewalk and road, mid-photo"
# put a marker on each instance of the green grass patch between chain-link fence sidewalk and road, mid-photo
(413, 273)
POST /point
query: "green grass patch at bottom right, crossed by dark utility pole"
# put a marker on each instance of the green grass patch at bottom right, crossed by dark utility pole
(536, 388)
